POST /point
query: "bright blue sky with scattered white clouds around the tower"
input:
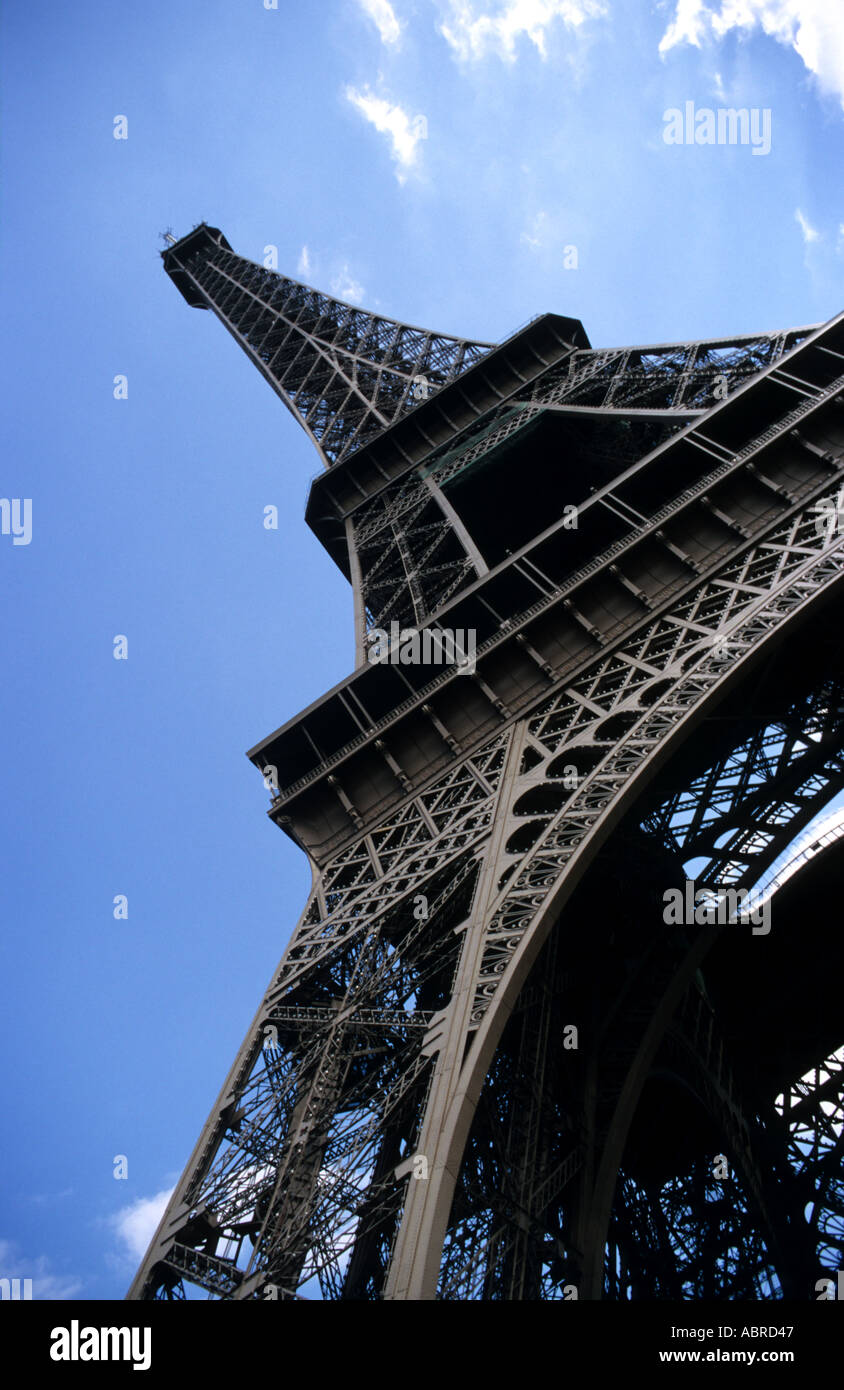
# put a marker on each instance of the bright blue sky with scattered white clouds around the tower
(433, 161)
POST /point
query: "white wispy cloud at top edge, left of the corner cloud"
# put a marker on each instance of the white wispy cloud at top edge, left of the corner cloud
(473, 34)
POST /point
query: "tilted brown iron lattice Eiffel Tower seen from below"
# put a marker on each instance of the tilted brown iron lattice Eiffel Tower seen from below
(492, 1065)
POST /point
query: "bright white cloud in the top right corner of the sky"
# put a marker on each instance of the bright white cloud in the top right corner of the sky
(813, 28)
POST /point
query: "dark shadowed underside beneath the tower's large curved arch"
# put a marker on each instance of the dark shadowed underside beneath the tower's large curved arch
(747, 1078)
